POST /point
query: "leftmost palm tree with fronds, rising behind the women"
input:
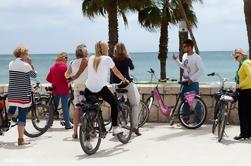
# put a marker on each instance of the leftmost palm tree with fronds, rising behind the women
(112, 8)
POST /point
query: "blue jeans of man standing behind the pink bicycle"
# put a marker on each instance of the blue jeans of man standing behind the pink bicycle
(186, 109)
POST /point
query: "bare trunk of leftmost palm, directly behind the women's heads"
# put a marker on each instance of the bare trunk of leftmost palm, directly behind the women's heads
(112, 25)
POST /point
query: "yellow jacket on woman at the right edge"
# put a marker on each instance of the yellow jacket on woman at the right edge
(245, 75)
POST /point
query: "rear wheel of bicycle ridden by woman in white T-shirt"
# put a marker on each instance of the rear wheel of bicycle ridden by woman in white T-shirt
(90, 135)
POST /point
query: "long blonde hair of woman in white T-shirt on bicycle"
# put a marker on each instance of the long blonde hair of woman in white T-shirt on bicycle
(101, 48)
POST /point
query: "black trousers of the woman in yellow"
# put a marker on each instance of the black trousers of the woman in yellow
(244, 110)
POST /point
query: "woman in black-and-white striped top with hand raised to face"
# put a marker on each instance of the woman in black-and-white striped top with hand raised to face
(19, 93)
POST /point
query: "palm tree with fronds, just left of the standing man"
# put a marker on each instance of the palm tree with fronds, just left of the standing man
(158, 15)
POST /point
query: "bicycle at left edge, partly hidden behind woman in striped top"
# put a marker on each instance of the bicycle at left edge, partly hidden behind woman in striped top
(37, 113)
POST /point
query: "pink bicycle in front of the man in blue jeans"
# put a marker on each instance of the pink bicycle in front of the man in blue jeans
(191, 109)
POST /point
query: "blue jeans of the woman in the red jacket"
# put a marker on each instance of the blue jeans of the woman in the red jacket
(64, 103)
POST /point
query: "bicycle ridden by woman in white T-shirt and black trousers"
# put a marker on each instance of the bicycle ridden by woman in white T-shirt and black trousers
(92, 127)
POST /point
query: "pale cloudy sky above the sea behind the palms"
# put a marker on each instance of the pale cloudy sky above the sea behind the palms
(51, 26)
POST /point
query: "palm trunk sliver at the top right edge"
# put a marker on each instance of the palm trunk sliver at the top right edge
(247, 11)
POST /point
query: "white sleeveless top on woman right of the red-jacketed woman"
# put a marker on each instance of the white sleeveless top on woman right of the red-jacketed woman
(79, 83)
